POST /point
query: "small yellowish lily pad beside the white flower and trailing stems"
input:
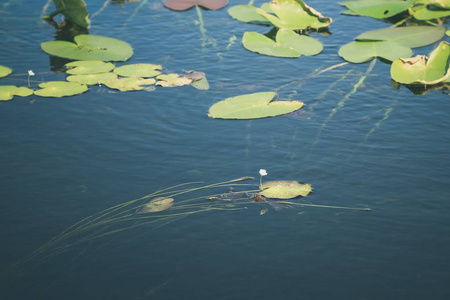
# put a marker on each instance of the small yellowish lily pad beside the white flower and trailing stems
(284, 189)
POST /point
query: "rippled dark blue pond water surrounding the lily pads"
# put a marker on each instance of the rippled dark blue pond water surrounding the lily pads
(64, 159)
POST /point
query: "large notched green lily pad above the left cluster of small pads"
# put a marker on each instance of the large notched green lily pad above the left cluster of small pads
(90, 47)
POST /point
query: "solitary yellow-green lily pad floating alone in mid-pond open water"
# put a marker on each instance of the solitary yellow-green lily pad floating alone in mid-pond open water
(252, 106)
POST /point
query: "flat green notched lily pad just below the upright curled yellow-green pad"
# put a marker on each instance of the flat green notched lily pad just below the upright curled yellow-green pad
(288, 44)
